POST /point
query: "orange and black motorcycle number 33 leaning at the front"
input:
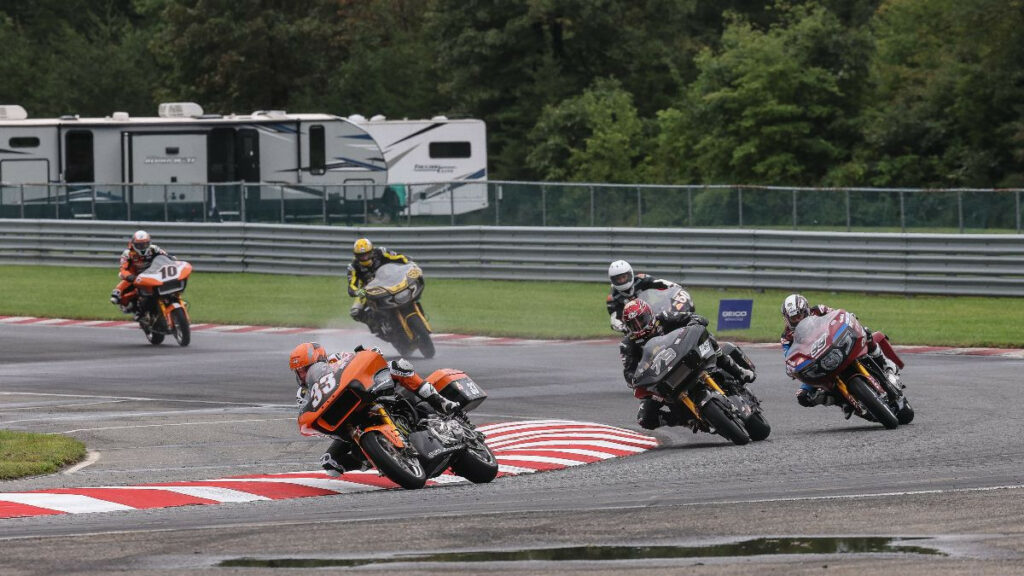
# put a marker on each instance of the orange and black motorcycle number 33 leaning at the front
(358, 399)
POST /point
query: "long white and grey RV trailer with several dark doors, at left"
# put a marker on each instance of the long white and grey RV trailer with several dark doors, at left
(304, 153)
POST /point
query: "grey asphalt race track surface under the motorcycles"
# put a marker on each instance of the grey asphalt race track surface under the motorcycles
(226, 407)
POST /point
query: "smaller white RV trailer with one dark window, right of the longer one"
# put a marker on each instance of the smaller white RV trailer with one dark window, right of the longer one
(420, 154)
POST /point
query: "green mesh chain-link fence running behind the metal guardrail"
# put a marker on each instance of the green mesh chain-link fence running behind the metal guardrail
(543, 204)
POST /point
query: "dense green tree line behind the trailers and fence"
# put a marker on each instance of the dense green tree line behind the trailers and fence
(824, 93)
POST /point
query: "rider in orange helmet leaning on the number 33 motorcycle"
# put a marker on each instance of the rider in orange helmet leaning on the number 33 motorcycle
(310, 362)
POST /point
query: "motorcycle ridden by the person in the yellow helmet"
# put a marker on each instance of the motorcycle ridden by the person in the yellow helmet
(394, 310)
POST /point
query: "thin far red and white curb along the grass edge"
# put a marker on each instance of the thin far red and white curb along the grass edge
(459, 340)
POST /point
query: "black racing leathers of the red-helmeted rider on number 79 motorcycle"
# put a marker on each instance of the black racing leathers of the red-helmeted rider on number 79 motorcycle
(653, 413)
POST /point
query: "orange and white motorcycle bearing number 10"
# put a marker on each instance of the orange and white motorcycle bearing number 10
(162, 311)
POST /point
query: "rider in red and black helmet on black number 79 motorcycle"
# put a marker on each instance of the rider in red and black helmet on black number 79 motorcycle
(643, 325)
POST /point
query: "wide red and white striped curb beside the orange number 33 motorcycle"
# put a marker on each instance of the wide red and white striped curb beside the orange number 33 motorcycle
(522, 447)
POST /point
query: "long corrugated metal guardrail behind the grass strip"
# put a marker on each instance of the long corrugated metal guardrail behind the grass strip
(912, 264)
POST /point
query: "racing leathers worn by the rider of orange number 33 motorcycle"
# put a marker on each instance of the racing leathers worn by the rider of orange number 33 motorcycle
(344, 455)
